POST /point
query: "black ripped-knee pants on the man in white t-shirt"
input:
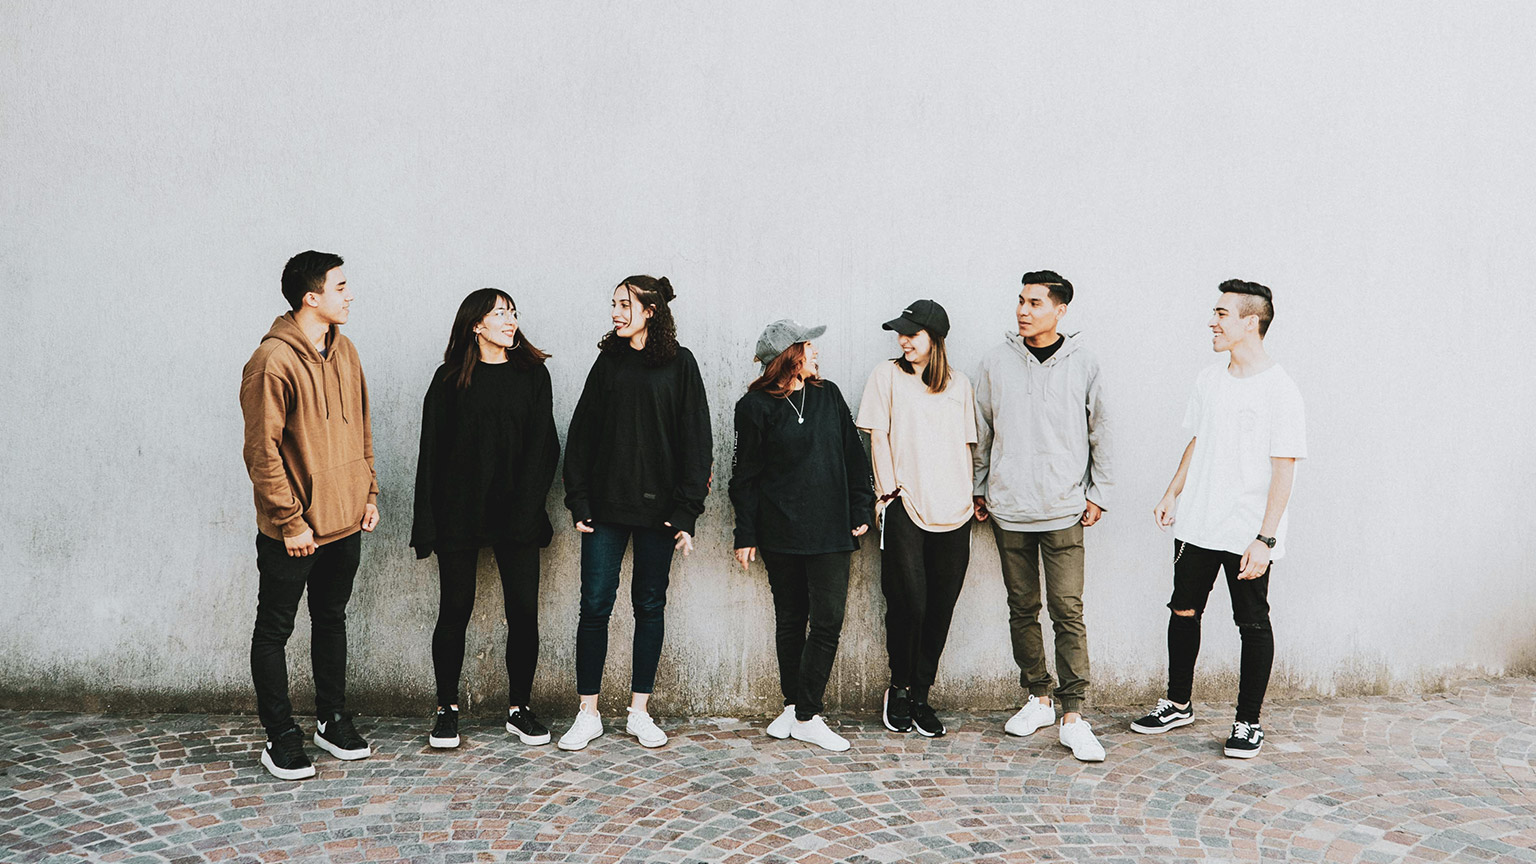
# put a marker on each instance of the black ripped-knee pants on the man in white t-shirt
(1194, 576)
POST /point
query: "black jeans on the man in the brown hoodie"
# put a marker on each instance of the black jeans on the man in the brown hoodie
(328, 574)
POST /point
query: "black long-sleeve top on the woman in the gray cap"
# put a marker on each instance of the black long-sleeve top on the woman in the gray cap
(799, 488)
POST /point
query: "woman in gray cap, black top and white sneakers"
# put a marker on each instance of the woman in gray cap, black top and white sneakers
(803, 497)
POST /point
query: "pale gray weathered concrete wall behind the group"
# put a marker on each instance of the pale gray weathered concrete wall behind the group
(161, 161)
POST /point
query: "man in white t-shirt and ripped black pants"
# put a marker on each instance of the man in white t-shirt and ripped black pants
(1248, 430)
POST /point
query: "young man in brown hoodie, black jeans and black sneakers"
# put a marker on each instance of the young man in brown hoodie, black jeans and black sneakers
(311, 459)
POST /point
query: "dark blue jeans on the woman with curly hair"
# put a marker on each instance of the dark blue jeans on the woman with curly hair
(601, 556)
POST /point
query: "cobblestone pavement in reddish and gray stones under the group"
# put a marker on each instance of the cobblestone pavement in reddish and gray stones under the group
(1438, 779)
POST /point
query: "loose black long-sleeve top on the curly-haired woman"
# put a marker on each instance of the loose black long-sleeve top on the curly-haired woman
(640, 450)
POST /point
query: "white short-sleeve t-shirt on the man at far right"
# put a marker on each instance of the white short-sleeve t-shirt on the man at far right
(1239, 425)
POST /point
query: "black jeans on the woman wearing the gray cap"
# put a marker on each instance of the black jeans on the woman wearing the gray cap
(807, 590)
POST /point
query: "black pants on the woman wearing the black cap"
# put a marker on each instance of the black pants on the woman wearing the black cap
(921, 576)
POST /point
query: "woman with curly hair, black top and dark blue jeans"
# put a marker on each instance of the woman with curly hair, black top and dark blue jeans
(638, 464)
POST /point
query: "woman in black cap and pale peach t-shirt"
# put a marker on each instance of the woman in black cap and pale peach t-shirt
(921, 416)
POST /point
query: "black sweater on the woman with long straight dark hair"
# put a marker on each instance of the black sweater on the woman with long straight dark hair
(488, 460)
